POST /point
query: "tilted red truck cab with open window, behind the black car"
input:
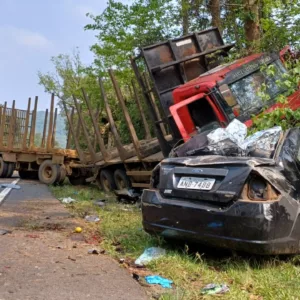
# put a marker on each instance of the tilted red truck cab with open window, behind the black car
(231, 90)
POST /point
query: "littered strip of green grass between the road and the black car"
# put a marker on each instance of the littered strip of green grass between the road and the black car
(249, 277)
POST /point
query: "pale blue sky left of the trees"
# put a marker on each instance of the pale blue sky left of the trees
(31, 32)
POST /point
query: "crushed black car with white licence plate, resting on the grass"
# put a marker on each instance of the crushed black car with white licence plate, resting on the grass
(250, 204)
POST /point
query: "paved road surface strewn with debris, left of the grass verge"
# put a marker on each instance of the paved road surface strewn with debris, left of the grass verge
(40, 260)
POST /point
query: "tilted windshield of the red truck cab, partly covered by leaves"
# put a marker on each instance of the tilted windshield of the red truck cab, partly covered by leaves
(246, 90)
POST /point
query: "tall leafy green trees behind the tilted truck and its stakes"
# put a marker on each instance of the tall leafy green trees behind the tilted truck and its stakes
(121, 29)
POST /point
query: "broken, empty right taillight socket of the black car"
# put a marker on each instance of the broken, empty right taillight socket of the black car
(259, 189)
